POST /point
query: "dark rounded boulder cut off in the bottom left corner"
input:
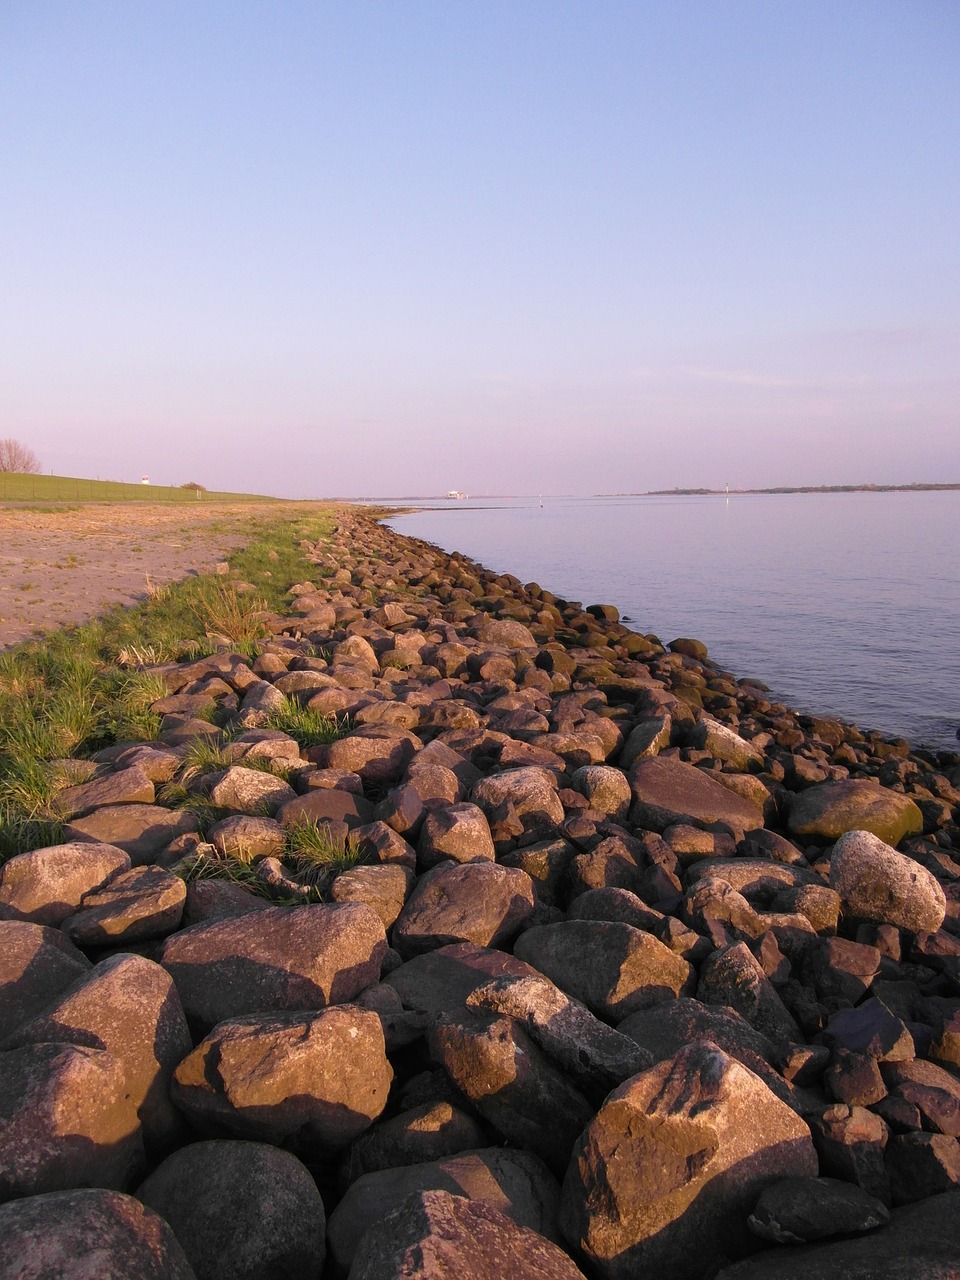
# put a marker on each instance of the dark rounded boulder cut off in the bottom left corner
(88, 1236)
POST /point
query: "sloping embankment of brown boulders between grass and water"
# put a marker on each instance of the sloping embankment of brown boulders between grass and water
(639, 971)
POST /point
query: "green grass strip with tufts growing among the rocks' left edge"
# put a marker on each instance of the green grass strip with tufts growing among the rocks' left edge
(89, 688)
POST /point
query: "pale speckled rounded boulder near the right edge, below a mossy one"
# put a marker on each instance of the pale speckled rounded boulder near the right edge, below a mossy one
(877, 884)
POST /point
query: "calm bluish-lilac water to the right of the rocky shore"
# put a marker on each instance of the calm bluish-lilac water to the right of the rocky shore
(845, 605)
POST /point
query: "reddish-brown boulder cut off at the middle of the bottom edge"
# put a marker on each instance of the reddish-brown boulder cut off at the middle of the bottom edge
(435, 1236)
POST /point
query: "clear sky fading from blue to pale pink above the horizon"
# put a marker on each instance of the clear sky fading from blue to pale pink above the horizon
(396, 248)
